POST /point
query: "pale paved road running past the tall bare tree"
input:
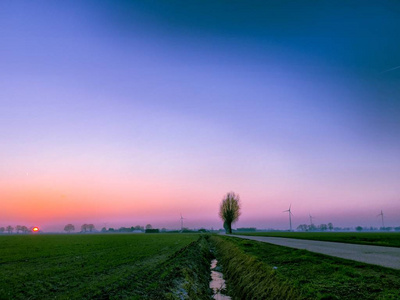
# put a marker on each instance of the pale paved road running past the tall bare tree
(377, 255)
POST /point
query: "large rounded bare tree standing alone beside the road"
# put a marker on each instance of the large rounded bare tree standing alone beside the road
(229, 210)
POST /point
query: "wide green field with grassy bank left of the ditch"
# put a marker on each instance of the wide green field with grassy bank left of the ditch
(156, 266)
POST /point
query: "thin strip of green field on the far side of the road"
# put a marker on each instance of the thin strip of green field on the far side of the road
(389, 239)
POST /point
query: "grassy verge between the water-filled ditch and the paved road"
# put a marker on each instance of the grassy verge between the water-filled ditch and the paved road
(299, 274)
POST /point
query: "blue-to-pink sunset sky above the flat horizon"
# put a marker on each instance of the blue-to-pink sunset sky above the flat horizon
(122, 113)
